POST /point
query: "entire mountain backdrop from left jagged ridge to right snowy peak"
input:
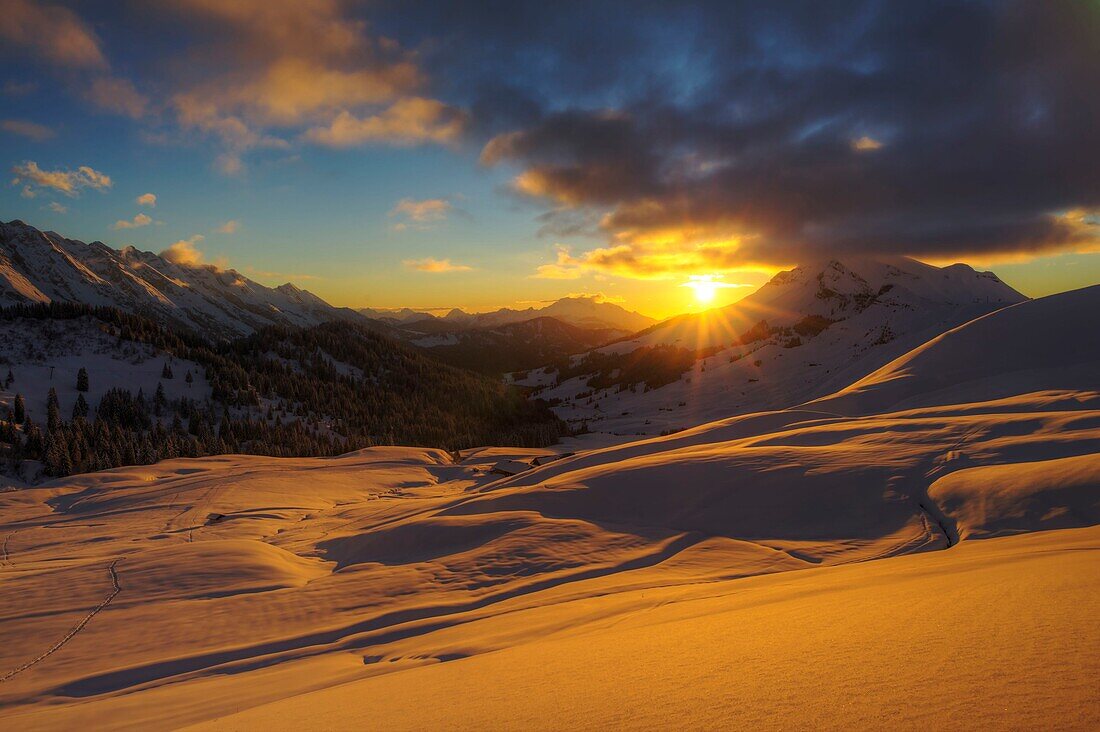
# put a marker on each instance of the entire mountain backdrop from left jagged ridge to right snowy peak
(807, 333)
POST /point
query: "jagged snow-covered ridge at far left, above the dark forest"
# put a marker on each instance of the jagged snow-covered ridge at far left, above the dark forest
(45, 267)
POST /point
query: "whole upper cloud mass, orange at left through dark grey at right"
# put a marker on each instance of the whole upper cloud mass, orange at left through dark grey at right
(675, 135)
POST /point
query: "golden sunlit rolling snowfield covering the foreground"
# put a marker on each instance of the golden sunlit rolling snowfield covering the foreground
(895, 556)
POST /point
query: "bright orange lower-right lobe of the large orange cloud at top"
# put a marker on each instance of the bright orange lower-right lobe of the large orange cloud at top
(409, 122)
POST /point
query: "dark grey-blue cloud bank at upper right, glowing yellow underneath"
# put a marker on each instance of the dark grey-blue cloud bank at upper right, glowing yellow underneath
(719, 135)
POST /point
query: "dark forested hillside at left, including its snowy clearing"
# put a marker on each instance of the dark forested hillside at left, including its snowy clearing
(148, 394)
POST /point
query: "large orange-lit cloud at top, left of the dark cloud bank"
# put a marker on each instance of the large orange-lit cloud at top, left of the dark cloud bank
(305, 70)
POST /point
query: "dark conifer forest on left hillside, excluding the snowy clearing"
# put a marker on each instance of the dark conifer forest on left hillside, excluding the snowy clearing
(287, 392)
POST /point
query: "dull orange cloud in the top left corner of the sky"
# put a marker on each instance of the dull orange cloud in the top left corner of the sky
(52, 32)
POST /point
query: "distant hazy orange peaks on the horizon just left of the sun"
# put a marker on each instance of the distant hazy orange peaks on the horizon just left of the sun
(582, 312)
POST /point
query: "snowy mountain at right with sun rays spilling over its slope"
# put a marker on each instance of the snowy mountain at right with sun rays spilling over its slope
(807, 333)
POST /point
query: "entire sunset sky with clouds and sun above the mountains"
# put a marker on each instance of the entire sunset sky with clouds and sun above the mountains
(490, 155)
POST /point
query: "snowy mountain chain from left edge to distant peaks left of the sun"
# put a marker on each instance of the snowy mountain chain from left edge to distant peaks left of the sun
(45, 267)
